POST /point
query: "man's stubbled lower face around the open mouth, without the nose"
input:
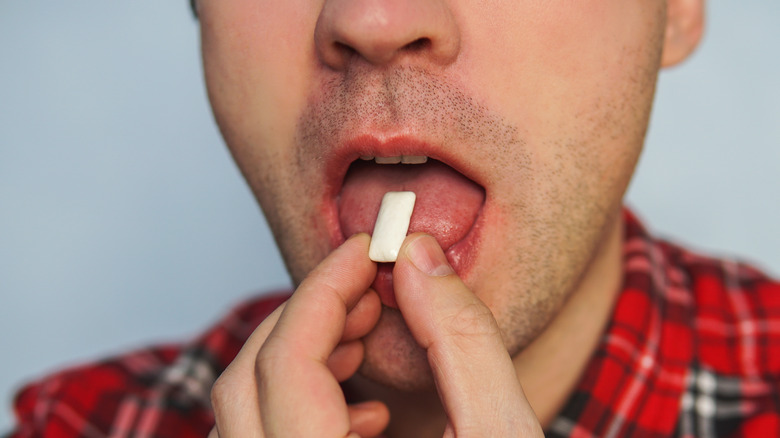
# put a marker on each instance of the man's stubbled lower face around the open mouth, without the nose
(520, 193)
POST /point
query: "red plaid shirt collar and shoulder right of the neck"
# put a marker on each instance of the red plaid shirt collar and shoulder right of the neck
(692, 349)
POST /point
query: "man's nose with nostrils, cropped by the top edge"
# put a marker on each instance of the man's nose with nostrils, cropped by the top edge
(384, 31)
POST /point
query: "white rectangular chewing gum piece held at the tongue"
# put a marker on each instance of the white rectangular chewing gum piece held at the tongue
(391, 226)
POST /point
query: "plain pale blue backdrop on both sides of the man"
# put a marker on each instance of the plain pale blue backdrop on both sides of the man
(123, 221)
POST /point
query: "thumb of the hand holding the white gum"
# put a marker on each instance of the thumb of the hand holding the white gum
(474, 374)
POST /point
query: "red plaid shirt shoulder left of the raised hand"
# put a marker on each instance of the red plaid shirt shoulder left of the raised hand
(162, 391)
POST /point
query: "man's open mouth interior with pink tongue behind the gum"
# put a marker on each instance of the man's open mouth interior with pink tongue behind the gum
(448, 206)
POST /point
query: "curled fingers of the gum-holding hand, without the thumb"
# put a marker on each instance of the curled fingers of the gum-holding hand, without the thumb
(284, 381)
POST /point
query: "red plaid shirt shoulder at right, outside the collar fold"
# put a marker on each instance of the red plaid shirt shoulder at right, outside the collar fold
(732, 384)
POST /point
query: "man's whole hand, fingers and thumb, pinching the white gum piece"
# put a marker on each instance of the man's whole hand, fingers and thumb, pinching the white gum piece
(284, 382)
